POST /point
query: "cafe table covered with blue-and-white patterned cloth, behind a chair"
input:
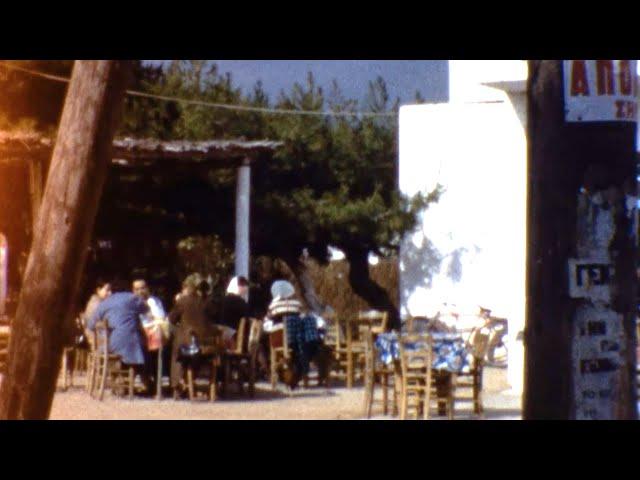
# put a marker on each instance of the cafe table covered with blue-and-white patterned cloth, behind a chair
(450, 358)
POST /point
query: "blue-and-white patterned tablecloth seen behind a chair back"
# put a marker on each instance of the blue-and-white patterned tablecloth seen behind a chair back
(449, 352)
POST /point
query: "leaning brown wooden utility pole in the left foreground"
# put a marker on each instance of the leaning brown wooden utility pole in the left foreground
(65, 222)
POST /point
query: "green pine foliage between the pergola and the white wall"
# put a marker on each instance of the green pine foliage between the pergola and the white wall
(332, 183)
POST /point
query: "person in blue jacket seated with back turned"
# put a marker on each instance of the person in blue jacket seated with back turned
(122, 311)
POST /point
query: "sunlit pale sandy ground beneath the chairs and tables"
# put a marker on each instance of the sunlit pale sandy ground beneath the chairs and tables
(314, 403)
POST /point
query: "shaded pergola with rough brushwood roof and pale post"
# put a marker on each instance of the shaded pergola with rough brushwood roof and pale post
(136, 202)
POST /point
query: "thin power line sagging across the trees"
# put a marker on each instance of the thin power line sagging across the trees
(224, 106)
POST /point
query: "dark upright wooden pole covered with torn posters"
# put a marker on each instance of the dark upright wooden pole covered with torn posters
(582, 235)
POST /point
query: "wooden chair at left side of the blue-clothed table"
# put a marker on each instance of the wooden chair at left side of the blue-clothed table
(375, 370)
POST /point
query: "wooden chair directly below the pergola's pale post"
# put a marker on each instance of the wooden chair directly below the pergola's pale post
(242, 360)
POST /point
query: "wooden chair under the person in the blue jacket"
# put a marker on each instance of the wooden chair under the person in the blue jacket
(109, 366)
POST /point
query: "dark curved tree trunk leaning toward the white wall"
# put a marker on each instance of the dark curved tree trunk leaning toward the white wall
(362, 284)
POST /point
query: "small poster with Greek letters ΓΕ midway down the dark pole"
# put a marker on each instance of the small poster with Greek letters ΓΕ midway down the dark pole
(590, 279)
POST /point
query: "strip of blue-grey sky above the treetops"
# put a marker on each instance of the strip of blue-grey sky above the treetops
(403, 77)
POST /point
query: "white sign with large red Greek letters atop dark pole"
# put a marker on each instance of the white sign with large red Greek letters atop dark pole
(600, 90)
